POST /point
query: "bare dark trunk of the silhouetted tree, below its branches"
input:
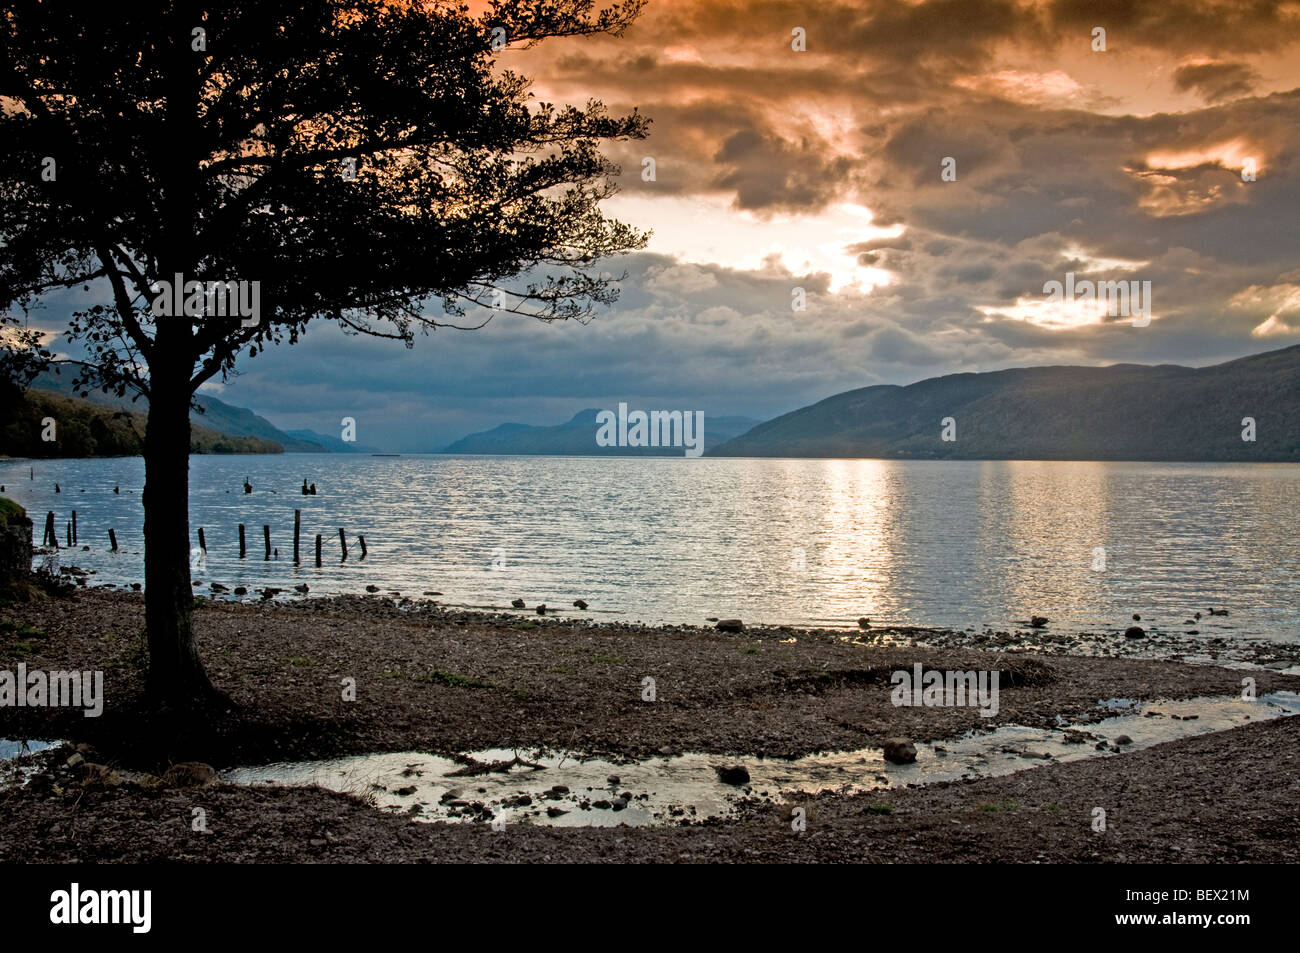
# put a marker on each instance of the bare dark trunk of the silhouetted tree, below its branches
(176, 677)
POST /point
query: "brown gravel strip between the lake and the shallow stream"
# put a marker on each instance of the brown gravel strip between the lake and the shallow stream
(447, 682)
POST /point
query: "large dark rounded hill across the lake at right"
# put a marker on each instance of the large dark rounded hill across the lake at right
(1121, 413)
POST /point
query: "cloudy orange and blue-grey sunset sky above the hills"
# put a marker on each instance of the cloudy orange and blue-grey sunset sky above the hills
(821, 170)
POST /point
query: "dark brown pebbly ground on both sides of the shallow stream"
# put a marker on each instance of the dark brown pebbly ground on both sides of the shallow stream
(444, 682)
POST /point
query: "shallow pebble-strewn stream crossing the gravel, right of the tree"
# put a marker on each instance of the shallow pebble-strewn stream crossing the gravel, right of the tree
(554, 789)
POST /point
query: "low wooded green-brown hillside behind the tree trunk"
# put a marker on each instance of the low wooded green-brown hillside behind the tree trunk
(84, 428)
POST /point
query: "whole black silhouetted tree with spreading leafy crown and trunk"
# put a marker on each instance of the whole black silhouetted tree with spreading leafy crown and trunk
(362, 162)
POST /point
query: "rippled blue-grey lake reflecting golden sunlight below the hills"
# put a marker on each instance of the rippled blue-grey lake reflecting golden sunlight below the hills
(824, 543)
